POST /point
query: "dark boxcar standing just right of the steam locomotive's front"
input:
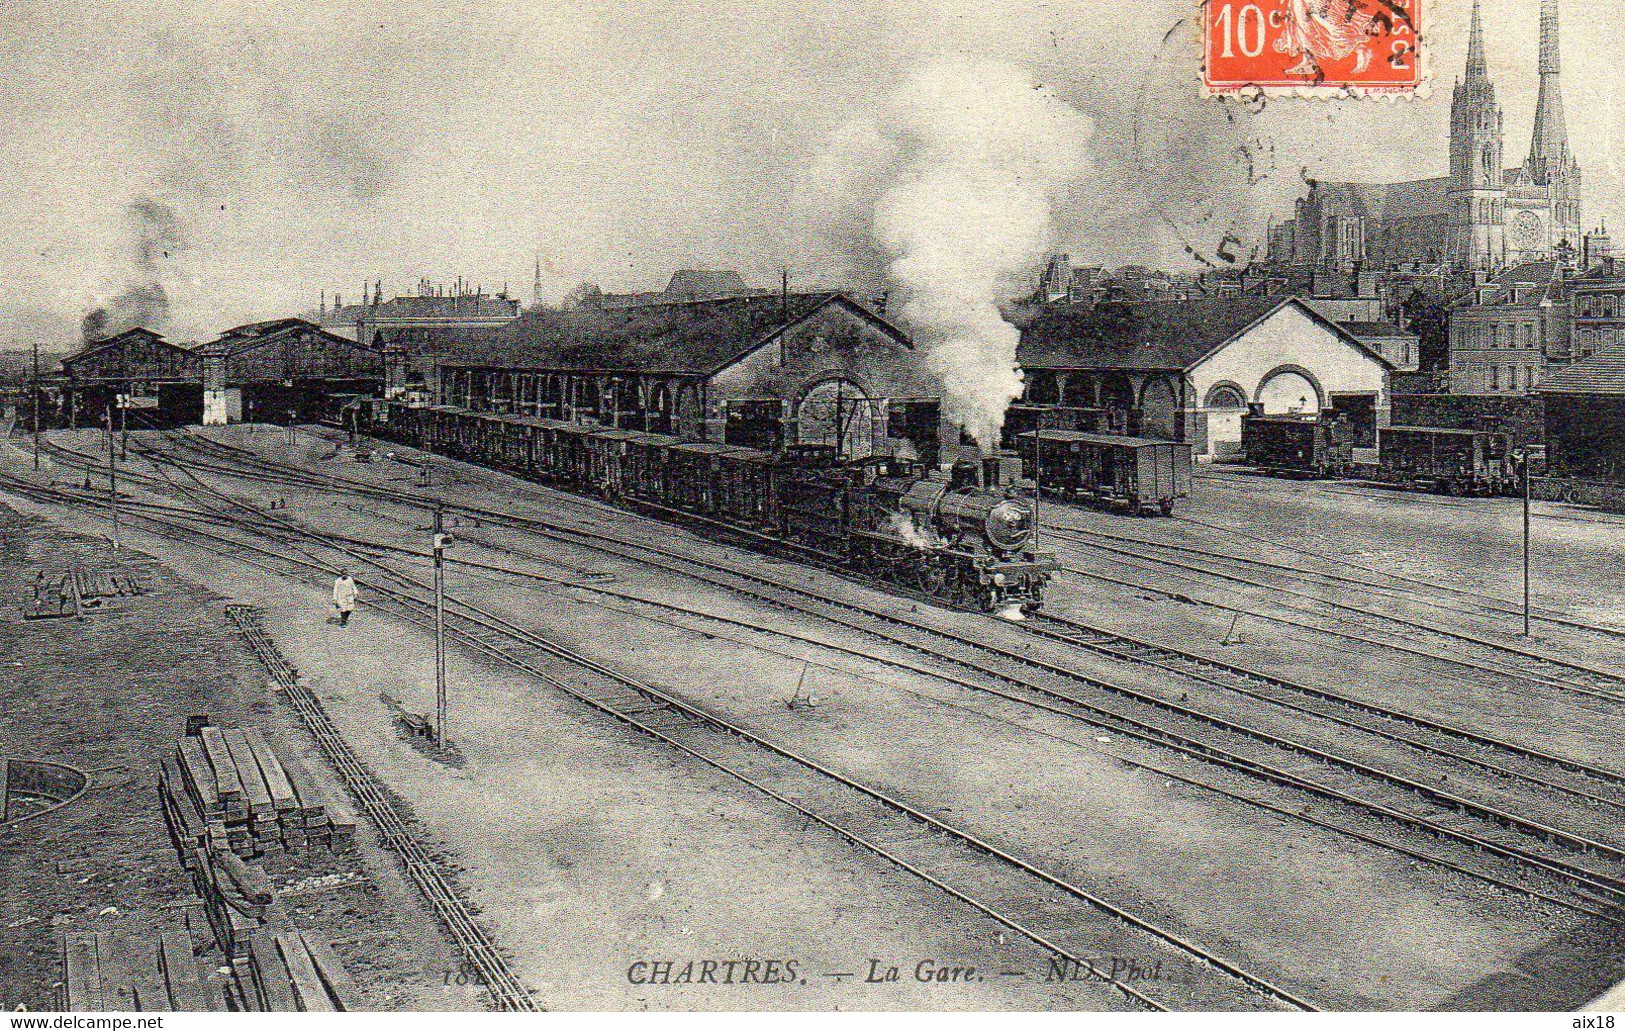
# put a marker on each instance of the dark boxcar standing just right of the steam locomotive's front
(1127, 474)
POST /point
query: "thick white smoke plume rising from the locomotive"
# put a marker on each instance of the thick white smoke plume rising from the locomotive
(953, 189)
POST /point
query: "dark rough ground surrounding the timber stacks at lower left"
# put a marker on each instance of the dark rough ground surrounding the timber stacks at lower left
(111, 694)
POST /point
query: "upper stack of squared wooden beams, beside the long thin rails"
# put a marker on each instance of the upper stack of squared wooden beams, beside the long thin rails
(228, 791)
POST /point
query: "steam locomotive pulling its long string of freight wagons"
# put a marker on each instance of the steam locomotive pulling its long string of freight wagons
(958, 536)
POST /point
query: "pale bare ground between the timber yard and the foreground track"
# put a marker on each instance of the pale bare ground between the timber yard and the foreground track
(591, 850)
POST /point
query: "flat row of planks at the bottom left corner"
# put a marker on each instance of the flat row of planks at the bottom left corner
(144, 973)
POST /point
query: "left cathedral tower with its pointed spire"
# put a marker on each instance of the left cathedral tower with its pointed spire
(1478, 191)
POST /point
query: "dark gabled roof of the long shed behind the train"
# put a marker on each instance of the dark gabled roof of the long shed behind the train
(696, 337)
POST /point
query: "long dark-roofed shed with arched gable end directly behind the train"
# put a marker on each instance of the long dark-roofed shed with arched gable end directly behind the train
(760, 372)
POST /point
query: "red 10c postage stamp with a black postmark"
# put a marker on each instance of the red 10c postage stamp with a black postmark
(1312, 46)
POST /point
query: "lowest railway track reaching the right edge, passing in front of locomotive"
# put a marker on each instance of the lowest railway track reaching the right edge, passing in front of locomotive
(1441, 822)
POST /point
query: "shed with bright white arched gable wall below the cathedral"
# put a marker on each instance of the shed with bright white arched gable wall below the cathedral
(1189, 370)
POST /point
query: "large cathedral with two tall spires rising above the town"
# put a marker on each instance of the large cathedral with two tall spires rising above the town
(1481, 215)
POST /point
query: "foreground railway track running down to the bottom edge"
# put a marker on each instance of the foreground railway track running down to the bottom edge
(1029, 900)
